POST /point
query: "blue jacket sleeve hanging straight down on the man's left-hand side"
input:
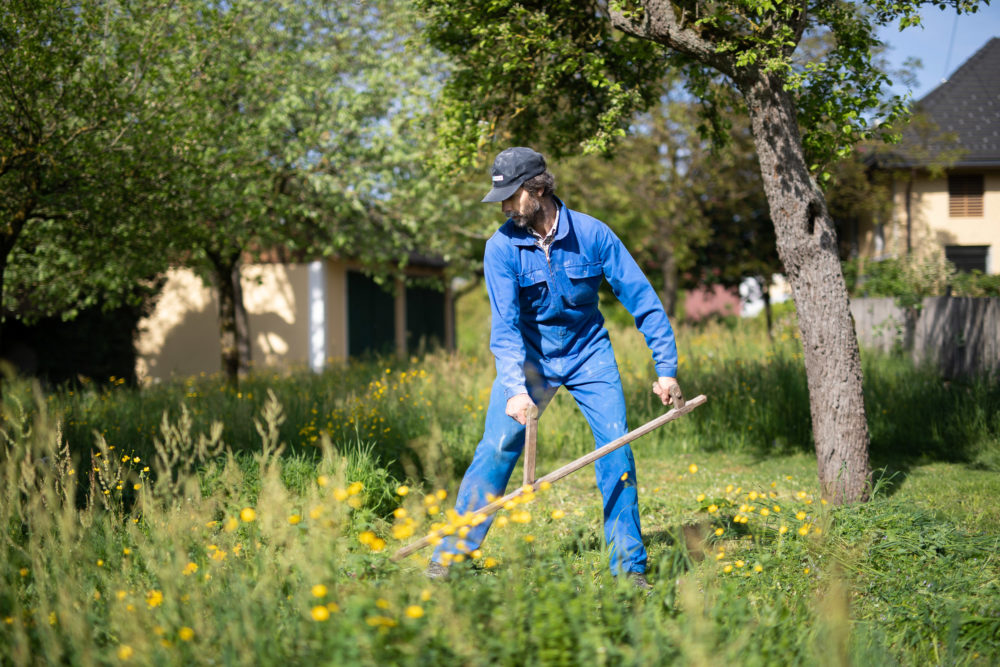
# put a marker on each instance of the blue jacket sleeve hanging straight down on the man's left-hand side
(506, 341)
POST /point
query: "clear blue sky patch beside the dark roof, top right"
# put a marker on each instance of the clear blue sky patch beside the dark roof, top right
(942, 44)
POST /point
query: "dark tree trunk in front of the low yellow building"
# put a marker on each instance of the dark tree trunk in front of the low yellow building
(234, 332)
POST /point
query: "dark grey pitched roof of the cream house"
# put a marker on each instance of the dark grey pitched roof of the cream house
(966, 112)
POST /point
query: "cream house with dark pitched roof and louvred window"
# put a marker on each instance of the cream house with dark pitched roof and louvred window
(945, 174)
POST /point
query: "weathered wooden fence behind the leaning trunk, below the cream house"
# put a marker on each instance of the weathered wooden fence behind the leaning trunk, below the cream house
(961, 335)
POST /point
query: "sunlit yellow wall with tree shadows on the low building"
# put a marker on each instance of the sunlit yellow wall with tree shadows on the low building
(181, 336)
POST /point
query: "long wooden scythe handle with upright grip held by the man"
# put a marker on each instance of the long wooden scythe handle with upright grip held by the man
(571, 467)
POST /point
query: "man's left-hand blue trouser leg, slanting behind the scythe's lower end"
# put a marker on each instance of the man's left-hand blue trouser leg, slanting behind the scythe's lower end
(491, 468)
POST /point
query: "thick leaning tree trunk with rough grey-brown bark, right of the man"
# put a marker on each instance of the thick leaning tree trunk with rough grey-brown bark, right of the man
(807, 246)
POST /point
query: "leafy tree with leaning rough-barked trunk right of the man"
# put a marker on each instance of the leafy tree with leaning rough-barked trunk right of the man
(557, 70)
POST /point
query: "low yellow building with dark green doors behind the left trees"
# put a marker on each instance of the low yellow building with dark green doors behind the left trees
(299, 315)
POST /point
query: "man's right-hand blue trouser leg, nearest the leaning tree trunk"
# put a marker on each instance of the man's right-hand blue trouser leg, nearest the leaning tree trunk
(597, 390)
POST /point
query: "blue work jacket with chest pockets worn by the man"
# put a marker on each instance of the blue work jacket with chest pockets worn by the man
(545, 309)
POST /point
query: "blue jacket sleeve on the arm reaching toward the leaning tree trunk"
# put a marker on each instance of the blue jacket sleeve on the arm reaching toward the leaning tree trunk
(640, 299)
